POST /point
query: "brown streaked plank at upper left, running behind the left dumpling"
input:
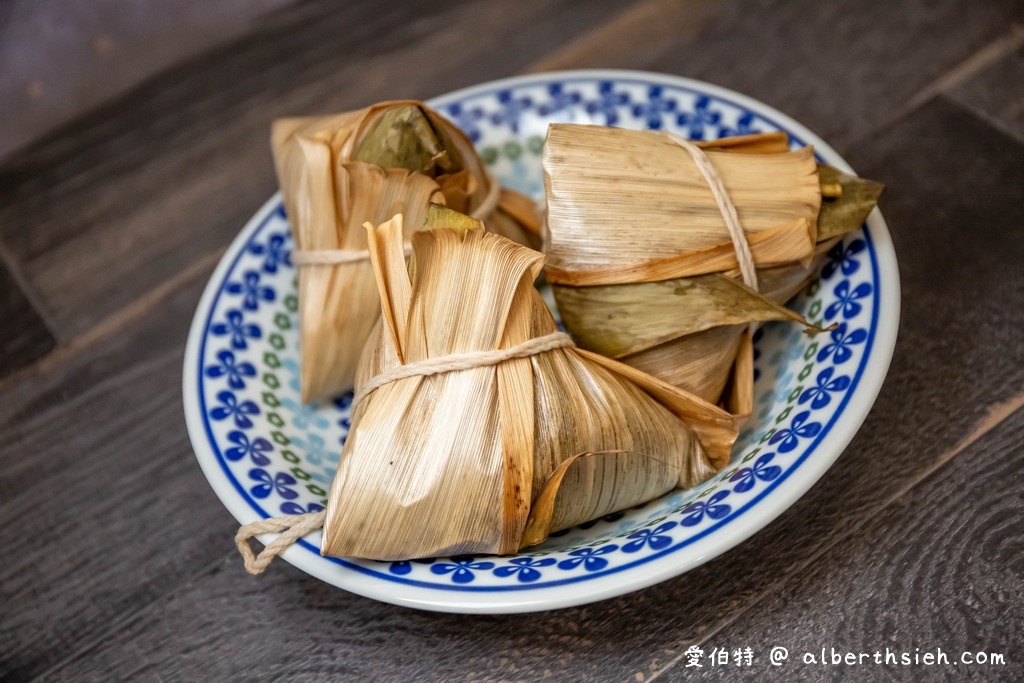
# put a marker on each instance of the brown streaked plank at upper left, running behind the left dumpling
(184, 160)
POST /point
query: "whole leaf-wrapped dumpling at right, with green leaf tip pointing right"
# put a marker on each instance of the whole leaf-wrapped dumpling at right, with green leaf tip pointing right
(643, 265)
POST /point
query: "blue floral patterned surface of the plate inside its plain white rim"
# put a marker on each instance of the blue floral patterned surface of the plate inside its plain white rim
(281, 456)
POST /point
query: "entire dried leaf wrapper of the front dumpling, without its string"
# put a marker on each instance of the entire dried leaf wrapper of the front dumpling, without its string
(452, 463)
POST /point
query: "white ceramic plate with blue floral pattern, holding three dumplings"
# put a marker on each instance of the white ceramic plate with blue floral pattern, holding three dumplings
(267, 455)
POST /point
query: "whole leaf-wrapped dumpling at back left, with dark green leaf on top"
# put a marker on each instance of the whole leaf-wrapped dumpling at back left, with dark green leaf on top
(337, 173)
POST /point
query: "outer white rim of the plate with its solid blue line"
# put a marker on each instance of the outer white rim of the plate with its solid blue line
(871, 357)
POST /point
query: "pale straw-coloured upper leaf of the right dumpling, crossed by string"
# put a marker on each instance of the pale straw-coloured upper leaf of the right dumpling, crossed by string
(608, 187)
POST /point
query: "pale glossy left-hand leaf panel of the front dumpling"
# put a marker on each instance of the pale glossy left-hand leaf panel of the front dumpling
(393, 481)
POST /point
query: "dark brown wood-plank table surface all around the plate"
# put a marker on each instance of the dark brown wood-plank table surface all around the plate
(118, 562)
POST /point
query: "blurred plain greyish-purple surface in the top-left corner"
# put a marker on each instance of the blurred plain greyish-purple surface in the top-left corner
(59, 58)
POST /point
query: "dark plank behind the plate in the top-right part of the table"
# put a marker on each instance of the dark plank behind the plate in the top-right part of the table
(879, 56)
